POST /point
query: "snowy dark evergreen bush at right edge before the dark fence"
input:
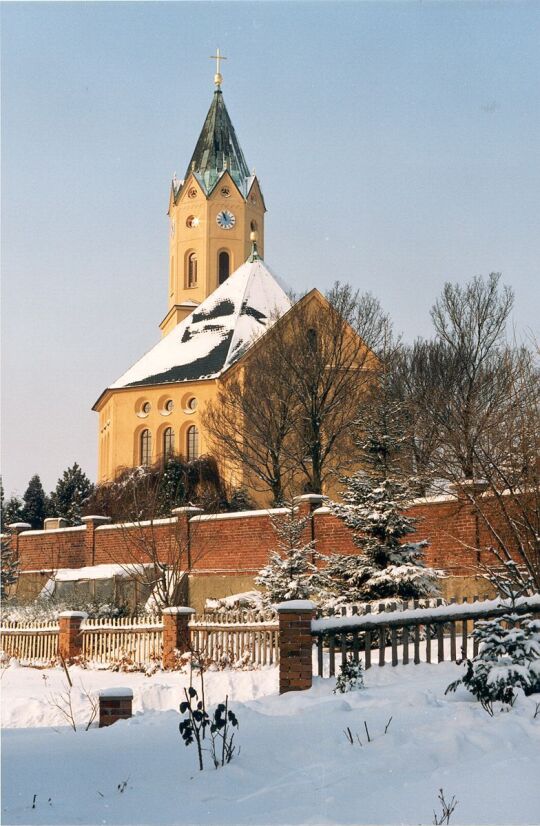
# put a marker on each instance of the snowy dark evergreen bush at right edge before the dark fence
(508, 660)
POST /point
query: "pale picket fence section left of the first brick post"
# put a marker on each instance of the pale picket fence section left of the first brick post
(30, 642)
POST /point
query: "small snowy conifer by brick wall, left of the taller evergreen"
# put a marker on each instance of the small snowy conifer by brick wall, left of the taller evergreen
(290, 570)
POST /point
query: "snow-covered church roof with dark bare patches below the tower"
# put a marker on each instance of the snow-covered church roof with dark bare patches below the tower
(217, 333)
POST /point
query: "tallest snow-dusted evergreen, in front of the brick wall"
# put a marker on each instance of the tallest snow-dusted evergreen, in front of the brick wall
(374, 503)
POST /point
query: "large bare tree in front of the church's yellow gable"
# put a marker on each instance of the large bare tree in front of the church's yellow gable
(289, 419)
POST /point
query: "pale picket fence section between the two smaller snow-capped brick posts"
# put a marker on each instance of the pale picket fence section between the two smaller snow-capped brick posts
(133, 639)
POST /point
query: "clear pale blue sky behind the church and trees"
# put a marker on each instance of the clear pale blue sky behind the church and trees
(396, 144)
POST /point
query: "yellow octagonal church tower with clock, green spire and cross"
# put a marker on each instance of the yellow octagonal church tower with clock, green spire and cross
(212, 213)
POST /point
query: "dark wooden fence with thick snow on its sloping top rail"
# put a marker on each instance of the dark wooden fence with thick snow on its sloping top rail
(417, 635)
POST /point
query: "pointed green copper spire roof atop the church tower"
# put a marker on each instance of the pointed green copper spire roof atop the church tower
(218, 148)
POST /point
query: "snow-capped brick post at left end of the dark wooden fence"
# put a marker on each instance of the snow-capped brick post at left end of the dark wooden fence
(295, 645)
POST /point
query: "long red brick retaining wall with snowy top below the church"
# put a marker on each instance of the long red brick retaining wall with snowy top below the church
(239, 543)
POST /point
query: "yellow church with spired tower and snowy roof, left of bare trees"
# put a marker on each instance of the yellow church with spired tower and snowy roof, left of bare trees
(221, 296)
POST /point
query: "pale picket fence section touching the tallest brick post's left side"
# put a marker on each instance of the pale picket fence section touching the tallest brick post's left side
(237, 637)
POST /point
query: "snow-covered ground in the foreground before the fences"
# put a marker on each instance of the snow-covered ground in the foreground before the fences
(295, 764)
